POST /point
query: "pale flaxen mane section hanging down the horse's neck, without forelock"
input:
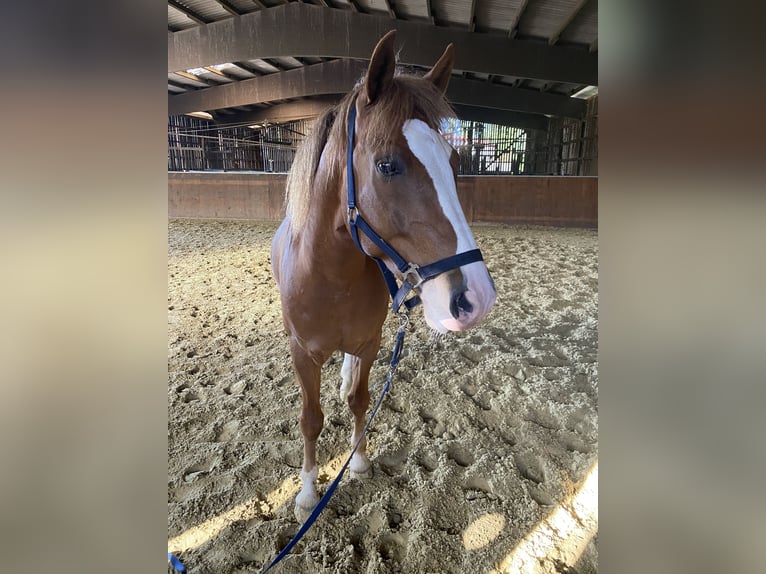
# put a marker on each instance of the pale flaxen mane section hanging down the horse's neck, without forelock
(300, 180)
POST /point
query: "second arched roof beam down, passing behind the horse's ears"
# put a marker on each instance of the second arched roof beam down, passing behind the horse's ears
(339, 76)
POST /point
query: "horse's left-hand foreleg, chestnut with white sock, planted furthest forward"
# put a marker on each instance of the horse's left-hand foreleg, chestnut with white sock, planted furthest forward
(312, 419)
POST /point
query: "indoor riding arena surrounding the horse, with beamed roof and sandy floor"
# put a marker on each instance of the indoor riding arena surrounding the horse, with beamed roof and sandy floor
(485, 451)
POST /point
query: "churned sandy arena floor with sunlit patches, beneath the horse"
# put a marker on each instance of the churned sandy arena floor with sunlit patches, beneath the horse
(485, 435)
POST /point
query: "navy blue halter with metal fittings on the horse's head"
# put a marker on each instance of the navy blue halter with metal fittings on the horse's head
(413, 275)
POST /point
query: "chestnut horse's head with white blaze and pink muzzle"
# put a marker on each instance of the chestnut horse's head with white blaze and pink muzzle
(406, 180)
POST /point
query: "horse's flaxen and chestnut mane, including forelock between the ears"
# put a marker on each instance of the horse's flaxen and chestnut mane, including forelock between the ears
(406, 97)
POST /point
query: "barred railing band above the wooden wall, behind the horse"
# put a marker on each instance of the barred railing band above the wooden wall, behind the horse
(568, 147)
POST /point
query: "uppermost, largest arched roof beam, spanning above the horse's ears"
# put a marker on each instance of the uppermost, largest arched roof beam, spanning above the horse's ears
(316, 31)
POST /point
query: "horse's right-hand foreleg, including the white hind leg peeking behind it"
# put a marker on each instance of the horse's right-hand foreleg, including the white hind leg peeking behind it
(355, 374)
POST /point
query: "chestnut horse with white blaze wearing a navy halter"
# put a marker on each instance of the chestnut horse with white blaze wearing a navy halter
(403, 188)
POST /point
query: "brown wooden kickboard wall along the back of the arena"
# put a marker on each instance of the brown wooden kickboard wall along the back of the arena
(542, 200)
